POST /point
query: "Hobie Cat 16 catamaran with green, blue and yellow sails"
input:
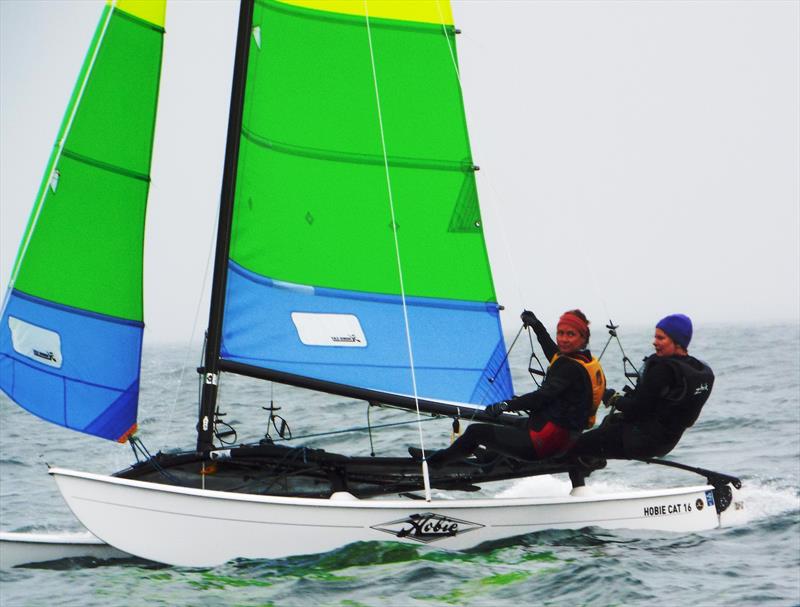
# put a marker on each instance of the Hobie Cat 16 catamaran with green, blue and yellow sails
(350, 259)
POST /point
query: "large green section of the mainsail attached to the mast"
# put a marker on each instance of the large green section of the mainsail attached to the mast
(312, 178)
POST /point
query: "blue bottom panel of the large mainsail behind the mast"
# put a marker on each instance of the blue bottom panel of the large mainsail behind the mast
(359, 339)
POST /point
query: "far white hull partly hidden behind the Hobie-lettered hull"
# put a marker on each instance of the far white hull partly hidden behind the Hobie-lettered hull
(27, 548)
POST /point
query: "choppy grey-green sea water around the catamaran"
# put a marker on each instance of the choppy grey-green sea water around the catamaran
(750, 427)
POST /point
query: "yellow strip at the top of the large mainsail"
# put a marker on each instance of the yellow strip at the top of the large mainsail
(423, 11)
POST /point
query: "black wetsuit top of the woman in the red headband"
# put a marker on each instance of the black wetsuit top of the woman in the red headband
(565, 396)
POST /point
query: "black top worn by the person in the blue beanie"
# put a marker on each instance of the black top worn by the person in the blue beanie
(669, 395)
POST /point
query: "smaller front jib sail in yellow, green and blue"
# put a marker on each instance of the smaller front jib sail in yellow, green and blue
(71, 329)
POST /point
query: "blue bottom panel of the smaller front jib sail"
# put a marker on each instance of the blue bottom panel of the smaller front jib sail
(49, 365)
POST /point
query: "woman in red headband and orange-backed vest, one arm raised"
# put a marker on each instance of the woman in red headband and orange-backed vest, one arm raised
(559, 410)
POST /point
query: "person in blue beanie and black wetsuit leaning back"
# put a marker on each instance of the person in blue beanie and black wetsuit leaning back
(668, 397)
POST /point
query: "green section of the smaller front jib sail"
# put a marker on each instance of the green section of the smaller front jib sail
(86, 248)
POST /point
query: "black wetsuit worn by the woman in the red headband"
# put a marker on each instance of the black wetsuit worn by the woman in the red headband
(564, 400)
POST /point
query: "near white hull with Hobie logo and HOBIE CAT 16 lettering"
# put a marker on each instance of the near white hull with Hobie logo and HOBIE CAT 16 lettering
(191, 527)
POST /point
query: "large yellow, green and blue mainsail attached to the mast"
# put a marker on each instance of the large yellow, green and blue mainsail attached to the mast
(356, 242)
